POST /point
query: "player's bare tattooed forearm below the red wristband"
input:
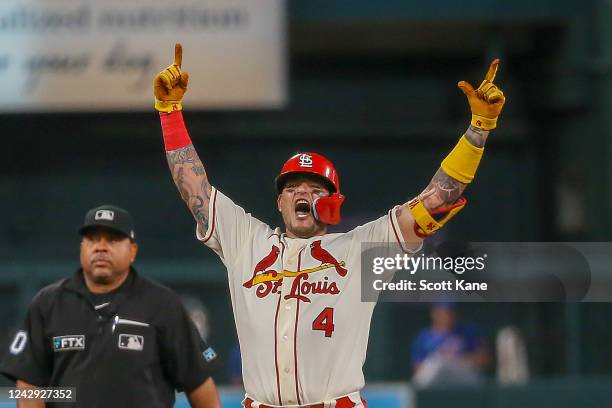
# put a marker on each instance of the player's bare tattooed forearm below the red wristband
(191, 180)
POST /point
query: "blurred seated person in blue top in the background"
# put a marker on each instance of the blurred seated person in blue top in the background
(449, 351)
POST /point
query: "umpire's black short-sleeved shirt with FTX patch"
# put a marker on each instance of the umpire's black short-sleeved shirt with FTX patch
(132, 348)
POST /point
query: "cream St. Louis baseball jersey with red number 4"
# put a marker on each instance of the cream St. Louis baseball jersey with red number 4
(302, 326)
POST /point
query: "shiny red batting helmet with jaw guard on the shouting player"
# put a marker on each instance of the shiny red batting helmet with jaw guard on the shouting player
(325, 209)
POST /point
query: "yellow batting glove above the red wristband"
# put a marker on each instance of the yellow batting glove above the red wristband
(170, 85)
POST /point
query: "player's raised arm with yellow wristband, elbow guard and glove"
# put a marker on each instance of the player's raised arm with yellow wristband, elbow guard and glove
(442, 198)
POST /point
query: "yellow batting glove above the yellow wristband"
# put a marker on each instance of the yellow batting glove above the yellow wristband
(486, 102)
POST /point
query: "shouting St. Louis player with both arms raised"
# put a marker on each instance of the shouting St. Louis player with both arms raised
(295, 293)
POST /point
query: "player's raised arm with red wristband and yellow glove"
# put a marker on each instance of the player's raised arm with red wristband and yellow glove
(185, 166)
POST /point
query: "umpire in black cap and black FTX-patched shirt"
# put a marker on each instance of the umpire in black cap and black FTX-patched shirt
(120, 339)
